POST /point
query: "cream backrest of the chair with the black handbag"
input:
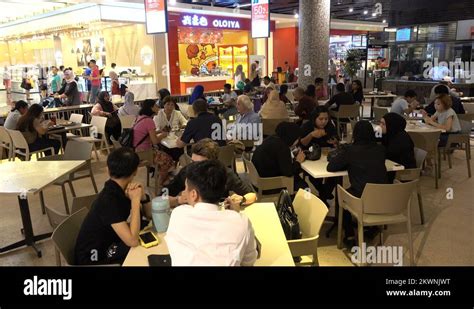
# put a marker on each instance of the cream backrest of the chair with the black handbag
(311, 213)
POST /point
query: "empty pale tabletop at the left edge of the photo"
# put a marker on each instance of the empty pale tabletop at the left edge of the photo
(33, 176)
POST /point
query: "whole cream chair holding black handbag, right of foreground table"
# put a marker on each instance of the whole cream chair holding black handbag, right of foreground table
(311, 212)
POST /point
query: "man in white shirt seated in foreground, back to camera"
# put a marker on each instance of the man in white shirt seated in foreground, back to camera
(200, 234)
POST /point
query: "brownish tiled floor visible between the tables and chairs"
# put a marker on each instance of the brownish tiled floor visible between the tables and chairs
(444, 239)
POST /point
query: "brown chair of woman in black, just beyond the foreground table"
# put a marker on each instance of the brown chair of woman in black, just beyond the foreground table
(267, 183)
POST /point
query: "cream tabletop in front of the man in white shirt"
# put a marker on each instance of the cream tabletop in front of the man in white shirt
(268, 230)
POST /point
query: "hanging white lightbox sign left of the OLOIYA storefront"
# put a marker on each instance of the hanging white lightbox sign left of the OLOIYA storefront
(156, 16)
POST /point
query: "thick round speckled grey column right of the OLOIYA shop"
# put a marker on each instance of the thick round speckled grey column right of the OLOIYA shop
(313, 49)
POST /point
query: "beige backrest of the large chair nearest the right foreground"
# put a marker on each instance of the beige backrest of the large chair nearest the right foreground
(387, 198)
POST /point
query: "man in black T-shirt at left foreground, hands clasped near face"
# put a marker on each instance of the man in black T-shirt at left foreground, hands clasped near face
(105, 236)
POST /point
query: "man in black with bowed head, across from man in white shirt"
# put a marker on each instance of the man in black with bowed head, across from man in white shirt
(206, 149)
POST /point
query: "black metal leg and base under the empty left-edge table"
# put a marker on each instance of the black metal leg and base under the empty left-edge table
(30, 238)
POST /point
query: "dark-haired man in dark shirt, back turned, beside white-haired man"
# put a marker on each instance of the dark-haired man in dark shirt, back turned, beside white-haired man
(205, 125)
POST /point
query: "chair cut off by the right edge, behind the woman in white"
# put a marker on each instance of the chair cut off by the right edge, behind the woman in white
(463, 141)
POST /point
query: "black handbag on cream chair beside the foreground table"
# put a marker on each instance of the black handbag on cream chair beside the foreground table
(288, 217)
